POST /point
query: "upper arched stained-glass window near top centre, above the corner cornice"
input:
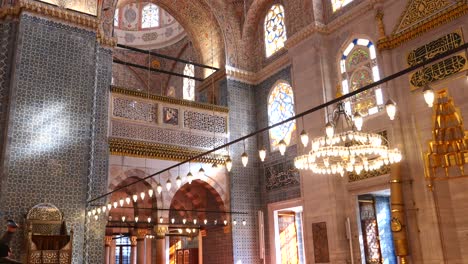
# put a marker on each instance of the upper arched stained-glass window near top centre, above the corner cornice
(275, 30)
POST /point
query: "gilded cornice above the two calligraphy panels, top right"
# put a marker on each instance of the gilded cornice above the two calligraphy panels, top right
(418, 29)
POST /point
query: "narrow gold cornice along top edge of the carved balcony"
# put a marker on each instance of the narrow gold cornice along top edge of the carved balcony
(171, 100)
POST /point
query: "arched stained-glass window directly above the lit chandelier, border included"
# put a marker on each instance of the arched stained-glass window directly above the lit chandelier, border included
(359, 68)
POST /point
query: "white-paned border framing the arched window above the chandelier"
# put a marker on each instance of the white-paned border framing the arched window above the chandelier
(346, 74)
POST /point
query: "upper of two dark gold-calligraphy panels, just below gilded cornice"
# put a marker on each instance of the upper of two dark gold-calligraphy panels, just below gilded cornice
(430, 50)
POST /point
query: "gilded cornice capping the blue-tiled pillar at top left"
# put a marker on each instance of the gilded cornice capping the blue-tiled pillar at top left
(46, 10)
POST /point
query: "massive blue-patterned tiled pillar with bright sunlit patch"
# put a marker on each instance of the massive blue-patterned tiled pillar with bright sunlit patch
(57, 126)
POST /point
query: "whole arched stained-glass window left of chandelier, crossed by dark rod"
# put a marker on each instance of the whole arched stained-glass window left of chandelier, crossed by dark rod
(281, 107)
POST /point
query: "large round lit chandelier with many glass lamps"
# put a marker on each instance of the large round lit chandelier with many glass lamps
(350, 150)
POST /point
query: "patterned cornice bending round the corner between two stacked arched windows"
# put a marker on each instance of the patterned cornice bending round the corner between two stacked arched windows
(258, 77)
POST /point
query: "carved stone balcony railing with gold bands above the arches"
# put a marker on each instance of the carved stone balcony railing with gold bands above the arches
(163, 127)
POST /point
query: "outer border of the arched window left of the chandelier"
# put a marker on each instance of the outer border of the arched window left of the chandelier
(273, 141)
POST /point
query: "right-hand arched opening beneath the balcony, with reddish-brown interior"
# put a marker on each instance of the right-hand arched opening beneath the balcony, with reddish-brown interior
(200, 203)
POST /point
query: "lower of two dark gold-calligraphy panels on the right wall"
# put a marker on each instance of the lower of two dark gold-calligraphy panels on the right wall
(438, 71)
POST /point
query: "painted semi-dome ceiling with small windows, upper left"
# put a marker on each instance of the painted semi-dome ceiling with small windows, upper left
(146, 25)
